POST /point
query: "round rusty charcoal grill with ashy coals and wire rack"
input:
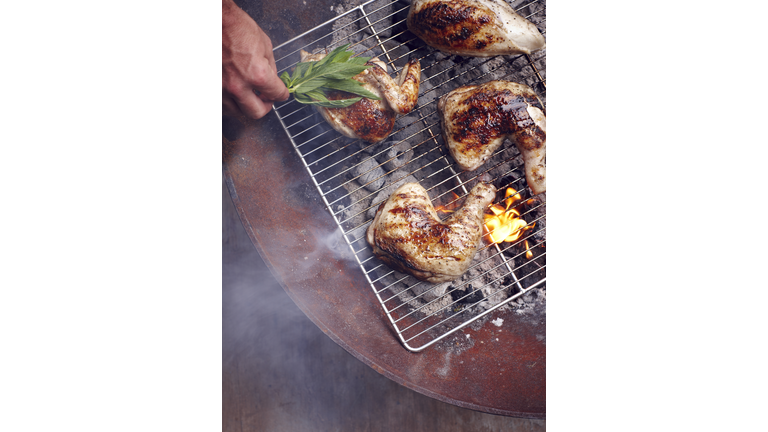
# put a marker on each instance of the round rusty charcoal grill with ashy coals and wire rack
(305, 194)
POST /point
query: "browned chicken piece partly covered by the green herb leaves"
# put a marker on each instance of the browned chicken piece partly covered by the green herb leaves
(373, 120)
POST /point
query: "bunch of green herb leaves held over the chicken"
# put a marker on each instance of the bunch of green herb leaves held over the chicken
(311, 81)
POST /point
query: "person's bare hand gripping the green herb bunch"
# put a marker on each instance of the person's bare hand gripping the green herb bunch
(249, 76)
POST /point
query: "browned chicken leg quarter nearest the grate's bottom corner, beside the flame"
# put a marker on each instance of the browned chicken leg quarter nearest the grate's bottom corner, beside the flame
(408, 236)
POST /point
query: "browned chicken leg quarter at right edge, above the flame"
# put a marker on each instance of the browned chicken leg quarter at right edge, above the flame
(476, 119)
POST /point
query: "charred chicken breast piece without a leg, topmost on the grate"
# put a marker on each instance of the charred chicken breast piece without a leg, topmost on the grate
(477, 28)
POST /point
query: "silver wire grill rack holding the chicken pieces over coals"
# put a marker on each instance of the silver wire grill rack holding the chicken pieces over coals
(354, 177)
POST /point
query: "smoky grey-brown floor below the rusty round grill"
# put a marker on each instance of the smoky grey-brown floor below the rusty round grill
(281, 373)
